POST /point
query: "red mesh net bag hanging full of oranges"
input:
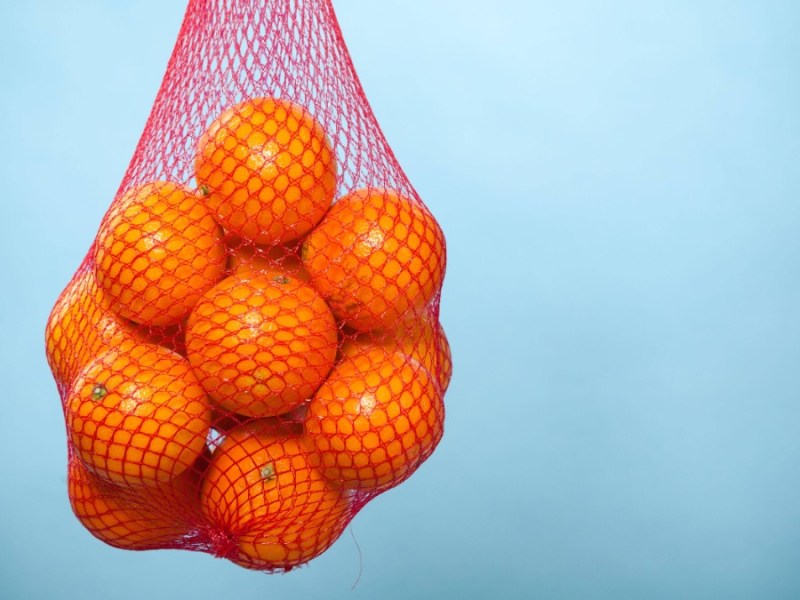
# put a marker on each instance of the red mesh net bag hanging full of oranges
(250, 350)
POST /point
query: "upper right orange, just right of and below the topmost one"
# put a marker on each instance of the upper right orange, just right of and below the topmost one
(376, 257)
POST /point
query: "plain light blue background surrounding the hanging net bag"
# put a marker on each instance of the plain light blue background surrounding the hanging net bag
(618, 183)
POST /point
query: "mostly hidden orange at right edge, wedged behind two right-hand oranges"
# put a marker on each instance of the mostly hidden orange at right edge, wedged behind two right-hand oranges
(423, 340)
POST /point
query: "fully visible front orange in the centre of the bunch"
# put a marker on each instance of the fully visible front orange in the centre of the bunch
(261, 345)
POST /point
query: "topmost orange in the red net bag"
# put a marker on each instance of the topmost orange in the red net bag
(267, 169)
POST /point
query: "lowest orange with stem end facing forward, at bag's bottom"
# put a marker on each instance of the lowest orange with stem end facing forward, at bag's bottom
(276, 508)
